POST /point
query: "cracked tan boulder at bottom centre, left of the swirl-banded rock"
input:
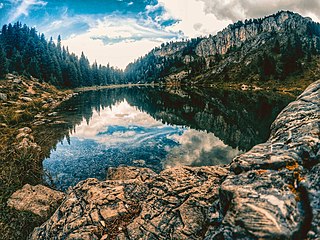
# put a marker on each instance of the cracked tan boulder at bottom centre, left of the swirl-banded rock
(177, 203)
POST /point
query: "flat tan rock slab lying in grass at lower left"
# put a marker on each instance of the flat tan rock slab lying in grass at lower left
(38, 199)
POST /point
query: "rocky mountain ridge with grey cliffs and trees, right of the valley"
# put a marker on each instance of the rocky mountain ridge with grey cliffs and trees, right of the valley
(282, 46)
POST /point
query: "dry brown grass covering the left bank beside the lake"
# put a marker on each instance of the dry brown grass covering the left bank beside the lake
(21, 166)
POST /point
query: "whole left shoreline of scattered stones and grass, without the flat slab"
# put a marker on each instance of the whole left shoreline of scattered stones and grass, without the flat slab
(27, 109)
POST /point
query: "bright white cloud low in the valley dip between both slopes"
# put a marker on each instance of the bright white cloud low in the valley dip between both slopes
(117, 40)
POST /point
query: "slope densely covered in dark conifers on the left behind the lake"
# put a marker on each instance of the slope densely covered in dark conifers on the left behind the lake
(24, 51)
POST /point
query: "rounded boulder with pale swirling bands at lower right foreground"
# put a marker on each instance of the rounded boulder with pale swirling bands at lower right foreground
(260, 204)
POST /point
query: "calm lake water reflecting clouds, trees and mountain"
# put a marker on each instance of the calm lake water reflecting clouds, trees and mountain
(156, 128)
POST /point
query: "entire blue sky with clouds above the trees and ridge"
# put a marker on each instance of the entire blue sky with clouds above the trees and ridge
(120, 31)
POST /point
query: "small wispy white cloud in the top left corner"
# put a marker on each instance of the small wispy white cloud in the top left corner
(23, 7)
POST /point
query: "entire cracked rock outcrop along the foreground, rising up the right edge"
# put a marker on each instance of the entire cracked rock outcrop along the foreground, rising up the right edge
(270, 192)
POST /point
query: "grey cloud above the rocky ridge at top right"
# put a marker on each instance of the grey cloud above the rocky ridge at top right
(240, 9)
